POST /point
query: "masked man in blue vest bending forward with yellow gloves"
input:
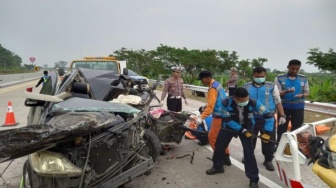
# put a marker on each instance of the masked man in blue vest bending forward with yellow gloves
(239, 122)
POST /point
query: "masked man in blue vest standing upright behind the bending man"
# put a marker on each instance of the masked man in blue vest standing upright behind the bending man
(266, 93)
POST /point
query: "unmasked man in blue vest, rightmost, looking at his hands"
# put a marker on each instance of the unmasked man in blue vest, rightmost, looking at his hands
(294, 88)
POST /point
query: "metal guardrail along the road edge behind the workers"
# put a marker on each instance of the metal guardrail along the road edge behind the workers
(318, 107)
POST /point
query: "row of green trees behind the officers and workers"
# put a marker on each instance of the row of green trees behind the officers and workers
(154, 63)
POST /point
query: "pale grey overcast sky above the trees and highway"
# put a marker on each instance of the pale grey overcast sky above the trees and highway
(278, 30)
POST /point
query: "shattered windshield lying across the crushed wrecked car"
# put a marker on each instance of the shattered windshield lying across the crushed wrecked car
(89, 105)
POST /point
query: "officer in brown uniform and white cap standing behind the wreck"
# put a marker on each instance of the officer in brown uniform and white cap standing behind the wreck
(173, 86)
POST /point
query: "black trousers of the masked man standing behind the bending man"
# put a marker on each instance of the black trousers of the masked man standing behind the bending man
(266, 148)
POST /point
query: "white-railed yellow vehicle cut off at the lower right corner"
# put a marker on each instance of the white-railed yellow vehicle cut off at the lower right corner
(292, 165)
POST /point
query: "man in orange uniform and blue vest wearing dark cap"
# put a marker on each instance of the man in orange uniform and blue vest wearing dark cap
(216, 94)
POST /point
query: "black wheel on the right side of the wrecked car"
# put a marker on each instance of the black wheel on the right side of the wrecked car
(153, 145)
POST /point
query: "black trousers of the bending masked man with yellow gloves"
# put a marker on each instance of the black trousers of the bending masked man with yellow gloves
(223, 140)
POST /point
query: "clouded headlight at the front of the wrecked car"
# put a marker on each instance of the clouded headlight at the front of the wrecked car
(51, 164)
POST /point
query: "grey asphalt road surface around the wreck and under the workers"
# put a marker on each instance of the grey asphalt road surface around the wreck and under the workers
(168, 172)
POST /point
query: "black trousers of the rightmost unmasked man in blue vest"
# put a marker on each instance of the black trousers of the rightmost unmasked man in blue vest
(296, 117)
